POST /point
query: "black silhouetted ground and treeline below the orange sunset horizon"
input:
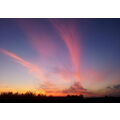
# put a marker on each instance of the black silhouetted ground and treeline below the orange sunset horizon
(31, 98)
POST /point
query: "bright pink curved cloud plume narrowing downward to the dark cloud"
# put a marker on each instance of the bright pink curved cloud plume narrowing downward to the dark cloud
(68, 33)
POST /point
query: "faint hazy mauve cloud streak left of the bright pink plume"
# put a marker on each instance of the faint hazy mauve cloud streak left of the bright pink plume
(40, 40)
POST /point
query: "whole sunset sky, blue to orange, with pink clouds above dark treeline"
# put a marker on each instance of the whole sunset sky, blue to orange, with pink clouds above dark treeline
(60, 56)
